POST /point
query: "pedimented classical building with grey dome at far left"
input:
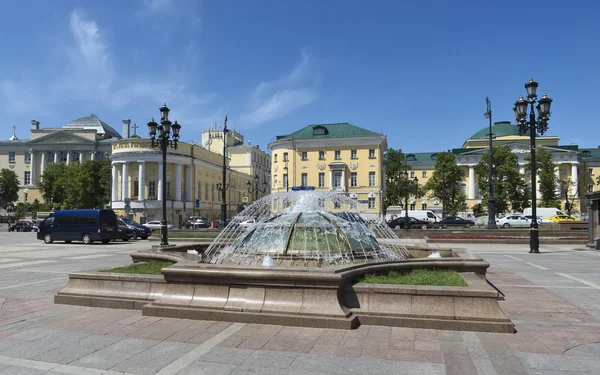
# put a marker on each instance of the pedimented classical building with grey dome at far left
(87, 138)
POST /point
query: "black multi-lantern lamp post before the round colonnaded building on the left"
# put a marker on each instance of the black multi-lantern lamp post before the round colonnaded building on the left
(163, 140)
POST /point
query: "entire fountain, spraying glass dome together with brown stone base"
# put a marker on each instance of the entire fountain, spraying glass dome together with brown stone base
(293, 259)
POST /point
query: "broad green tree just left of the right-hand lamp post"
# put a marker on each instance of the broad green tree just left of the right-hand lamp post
(510, 189)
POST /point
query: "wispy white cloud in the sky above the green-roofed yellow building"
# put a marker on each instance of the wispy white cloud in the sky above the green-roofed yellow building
(273, 100)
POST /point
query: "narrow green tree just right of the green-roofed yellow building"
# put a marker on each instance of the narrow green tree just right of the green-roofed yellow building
(395, 166)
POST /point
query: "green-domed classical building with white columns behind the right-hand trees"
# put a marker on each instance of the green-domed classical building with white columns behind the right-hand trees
(571, 162)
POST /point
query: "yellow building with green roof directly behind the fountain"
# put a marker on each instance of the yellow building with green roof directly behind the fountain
(342, 158)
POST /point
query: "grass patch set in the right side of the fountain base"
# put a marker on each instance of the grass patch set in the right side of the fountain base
(418, 276)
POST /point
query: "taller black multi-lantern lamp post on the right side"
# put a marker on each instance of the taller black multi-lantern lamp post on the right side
(532, 125)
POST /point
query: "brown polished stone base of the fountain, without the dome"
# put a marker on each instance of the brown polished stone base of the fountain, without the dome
(313, 297)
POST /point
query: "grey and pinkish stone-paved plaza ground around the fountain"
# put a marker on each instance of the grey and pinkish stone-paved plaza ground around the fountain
(553, 298)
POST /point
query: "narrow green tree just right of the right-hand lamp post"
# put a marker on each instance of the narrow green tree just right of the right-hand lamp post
(548, 181)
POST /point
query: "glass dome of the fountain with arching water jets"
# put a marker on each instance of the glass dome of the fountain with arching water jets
(305, 229)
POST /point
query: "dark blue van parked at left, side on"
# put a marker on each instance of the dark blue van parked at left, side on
(79, 225)
